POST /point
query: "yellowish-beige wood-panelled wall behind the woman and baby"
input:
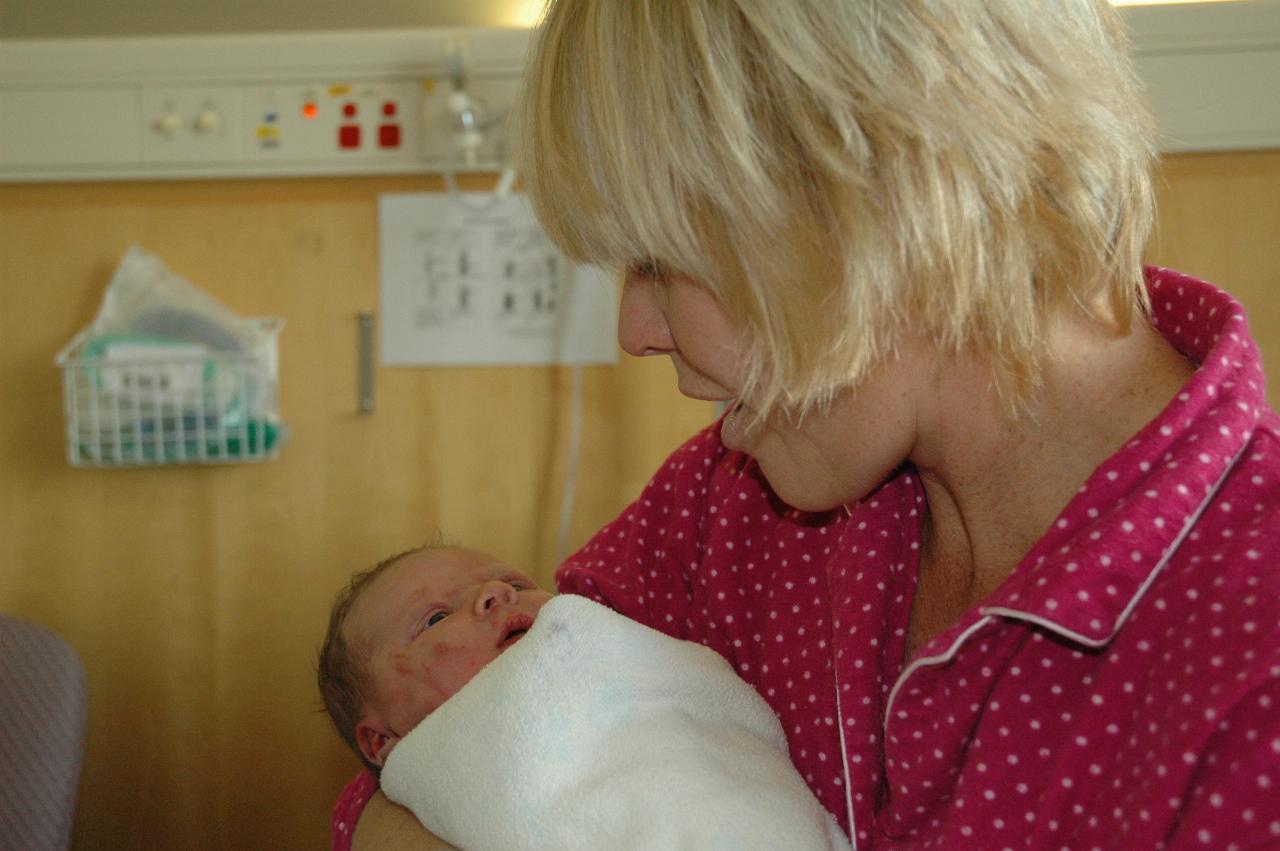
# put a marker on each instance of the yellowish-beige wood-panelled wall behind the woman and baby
(196, 597)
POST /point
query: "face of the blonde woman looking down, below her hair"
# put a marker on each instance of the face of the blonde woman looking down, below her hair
(830, 457)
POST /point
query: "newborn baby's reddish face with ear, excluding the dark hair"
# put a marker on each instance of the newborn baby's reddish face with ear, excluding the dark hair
(432, 623)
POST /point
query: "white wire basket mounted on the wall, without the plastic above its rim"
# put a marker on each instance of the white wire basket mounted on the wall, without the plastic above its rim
(136, 406)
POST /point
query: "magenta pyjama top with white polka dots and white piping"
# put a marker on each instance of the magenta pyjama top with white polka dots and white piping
(1119, 690)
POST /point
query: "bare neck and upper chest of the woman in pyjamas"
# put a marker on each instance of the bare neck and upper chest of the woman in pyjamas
(995, 486)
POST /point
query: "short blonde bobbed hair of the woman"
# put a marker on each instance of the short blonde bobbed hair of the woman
(840, 172)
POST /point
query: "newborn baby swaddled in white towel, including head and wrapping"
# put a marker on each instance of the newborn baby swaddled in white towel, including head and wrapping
(593, 733)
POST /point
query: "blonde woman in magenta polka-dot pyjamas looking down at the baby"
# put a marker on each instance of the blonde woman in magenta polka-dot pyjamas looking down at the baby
(994, 518)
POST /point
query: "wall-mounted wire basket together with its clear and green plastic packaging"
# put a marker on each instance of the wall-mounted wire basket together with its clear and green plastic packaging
(168, 376)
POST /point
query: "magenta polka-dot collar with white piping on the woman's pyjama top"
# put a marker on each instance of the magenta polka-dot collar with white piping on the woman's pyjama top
(1089, 573)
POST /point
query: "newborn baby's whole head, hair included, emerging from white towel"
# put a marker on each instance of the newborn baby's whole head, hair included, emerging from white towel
(406, 635)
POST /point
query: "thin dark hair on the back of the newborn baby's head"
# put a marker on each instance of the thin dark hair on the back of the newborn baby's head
(342, 670)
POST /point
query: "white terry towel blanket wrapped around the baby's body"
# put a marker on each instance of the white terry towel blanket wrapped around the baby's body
(597, 733)
